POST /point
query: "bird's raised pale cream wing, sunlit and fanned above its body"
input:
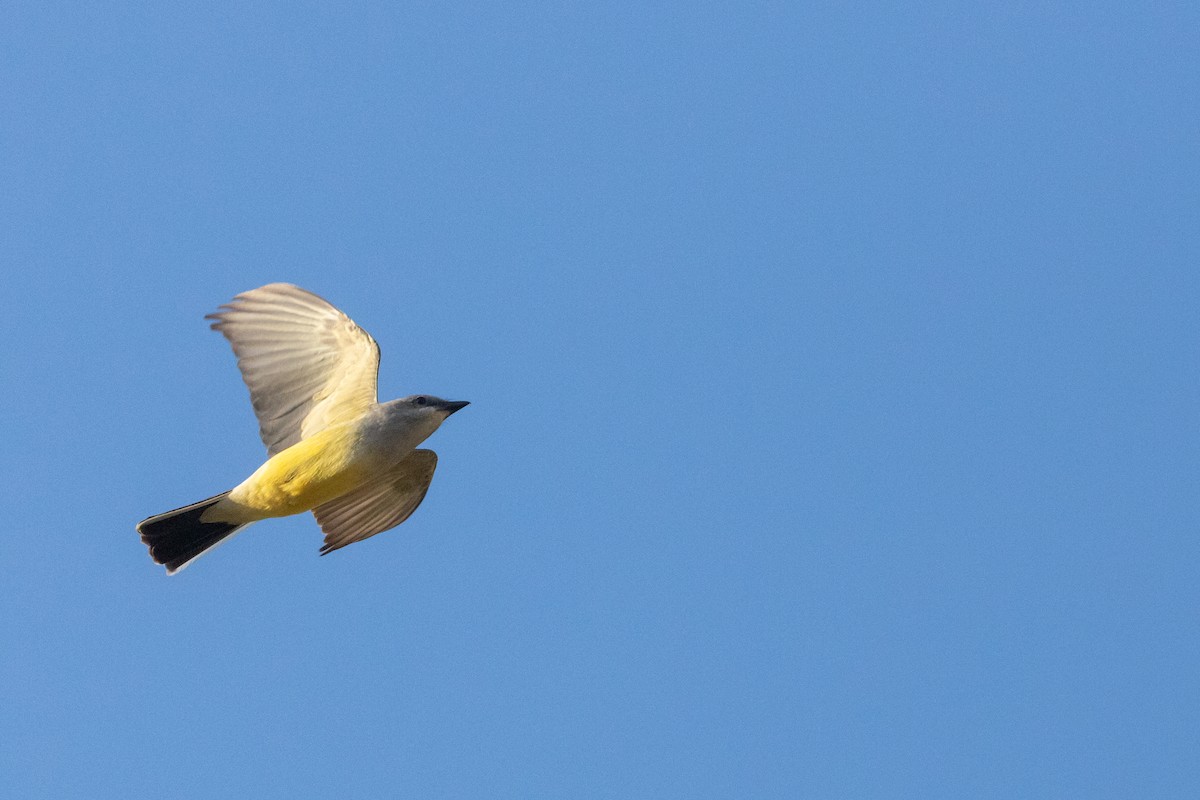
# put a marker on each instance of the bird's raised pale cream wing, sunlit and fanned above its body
(307, 364)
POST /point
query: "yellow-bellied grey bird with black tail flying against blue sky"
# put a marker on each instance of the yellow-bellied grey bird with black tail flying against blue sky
(333, 449)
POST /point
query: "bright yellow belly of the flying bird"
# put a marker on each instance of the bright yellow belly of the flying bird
(305, 476)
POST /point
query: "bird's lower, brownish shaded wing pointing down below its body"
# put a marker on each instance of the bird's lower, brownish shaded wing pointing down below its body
(381, 506)
